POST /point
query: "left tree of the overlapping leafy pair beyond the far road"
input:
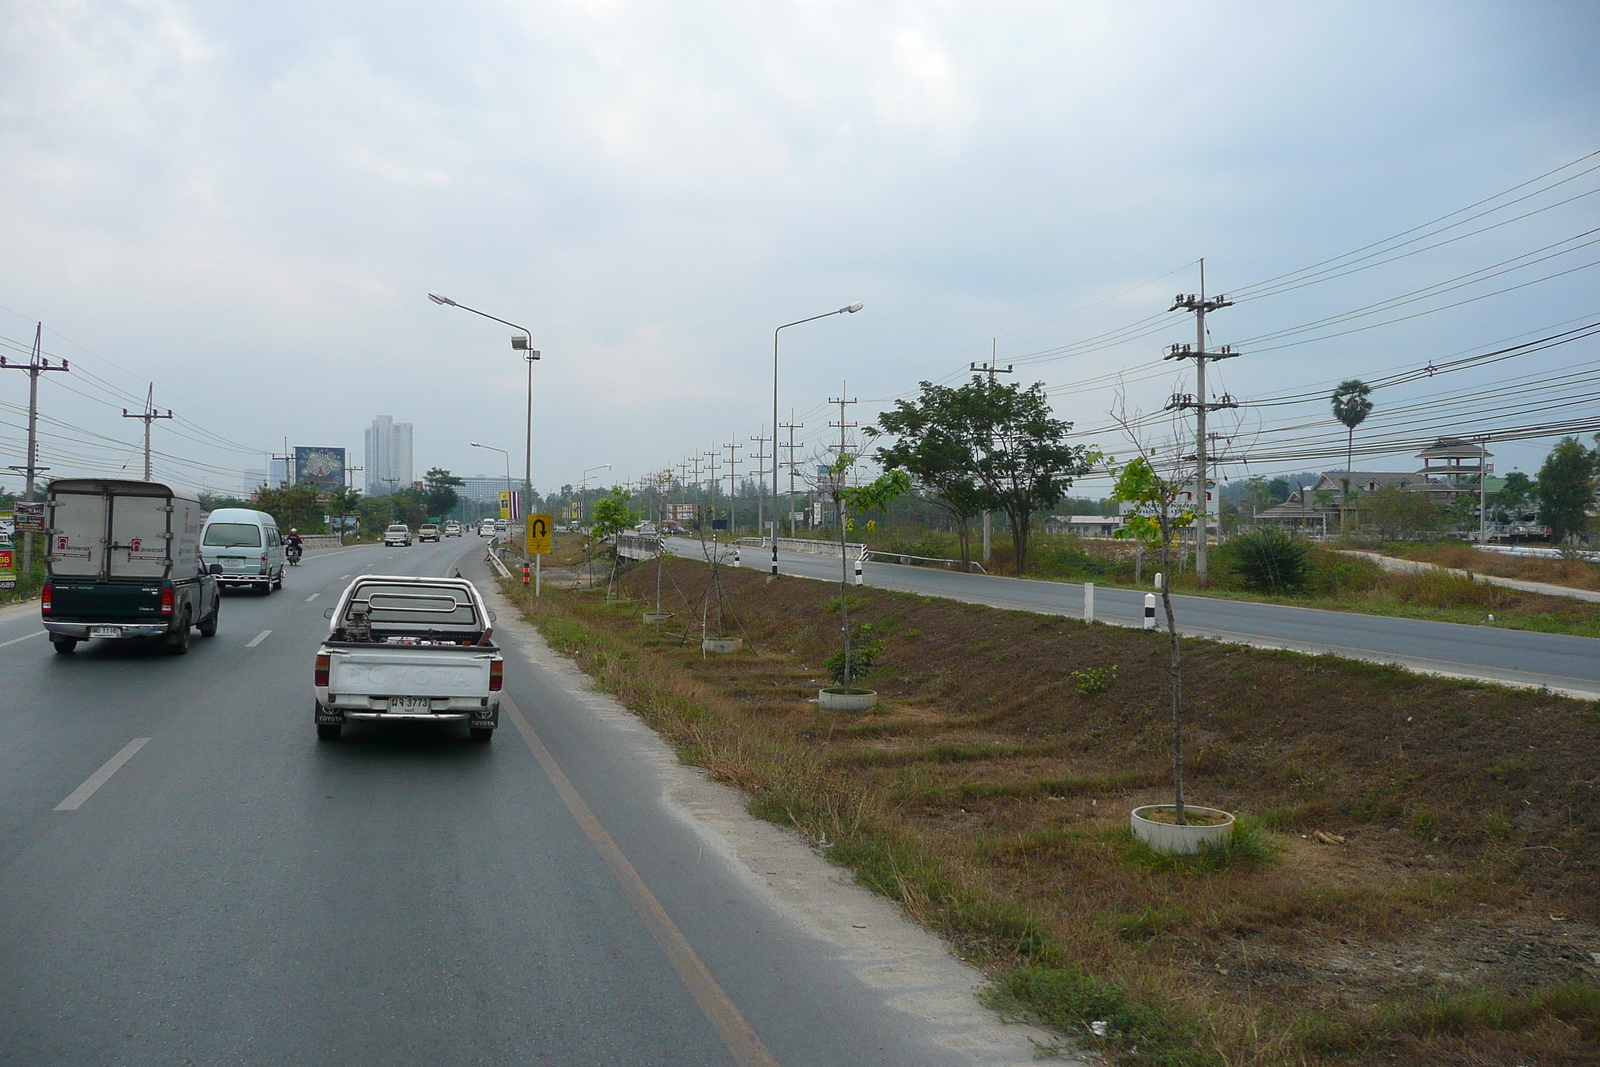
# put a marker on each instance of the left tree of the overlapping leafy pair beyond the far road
(937, 457)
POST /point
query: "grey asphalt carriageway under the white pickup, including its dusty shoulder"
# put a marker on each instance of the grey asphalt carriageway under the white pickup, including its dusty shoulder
(239, 893)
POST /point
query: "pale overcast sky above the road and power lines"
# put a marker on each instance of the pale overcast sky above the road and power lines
(249, 204)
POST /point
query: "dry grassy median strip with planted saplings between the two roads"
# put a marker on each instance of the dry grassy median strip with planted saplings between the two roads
(1414, 882)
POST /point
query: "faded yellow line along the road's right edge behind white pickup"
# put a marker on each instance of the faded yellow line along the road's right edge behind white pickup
(735, 1033)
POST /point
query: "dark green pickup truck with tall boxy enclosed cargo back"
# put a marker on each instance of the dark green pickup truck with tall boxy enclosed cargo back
(126, 562)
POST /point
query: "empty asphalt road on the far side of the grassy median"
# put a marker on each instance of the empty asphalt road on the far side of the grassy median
(1474, 652)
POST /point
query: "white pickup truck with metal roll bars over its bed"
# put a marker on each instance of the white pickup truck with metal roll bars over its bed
(409, 650)
